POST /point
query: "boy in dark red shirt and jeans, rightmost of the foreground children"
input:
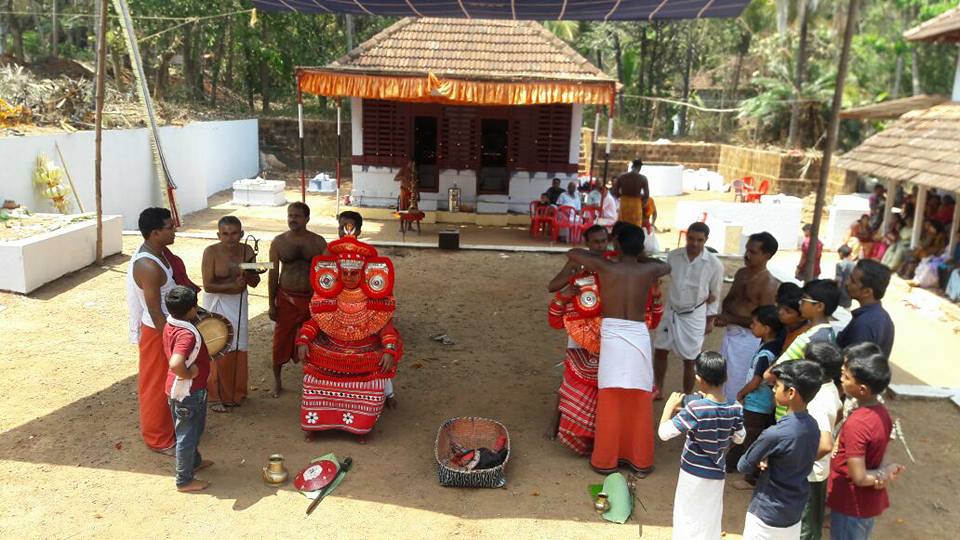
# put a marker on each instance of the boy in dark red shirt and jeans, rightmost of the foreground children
(858, 473)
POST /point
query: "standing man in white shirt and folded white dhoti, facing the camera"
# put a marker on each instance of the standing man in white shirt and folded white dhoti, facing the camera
(696, 276)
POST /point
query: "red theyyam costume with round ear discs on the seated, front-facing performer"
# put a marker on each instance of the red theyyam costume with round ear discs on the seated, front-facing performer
(348, 334)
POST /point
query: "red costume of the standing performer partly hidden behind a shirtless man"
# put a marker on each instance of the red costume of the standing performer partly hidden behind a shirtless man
(580, 317)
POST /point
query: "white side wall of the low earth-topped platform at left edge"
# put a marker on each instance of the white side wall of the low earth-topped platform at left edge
(29, 263)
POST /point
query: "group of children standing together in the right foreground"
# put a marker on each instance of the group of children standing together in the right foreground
(781, 429)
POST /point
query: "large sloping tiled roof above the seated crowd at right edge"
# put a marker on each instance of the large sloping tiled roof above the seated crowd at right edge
(921, 147)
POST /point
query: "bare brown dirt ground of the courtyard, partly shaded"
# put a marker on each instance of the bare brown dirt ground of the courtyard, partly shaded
(73, 466)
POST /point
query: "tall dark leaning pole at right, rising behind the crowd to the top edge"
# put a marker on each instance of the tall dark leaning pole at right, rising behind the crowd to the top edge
(832, 130)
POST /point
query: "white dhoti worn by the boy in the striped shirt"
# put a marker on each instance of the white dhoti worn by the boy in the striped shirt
(697, 508)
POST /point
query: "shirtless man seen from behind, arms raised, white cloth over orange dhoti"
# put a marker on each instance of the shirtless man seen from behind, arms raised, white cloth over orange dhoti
(624, 428)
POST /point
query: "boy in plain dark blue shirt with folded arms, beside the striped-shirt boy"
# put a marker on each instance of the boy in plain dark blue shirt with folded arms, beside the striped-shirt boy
(784, 453)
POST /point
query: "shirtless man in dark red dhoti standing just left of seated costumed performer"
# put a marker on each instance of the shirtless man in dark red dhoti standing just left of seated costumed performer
(288, 284)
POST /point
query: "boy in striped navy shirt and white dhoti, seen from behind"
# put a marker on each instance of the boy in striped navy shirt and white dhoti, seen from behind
(711, 424)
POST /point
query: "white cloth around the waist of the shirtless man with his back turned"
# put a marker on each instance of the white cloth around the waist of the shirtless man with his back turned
(625, 355)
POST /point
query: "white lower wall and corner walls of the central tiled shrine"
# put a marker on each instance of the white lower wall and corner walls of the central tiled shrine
(374, 186)
